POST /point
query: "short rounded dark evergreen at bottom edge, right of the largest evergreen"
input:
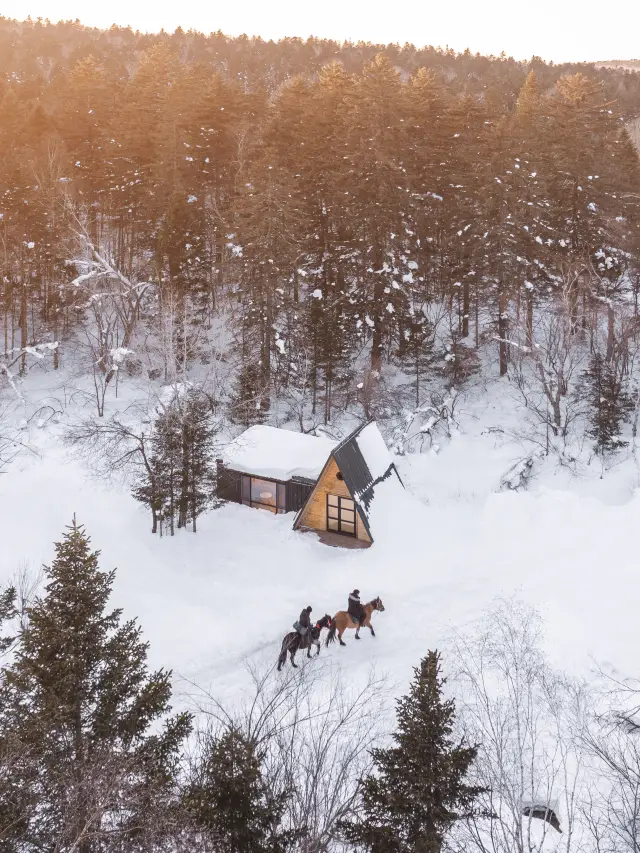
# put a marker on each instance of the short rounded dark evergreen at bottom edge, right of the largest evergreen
(231, 803)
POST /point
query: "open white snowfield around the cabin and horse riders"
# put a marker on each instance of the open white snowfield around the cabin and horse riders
(207, 602)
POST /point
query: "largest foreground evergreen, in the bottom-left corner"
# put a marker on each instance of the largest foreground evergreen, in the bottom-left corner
(77, 704)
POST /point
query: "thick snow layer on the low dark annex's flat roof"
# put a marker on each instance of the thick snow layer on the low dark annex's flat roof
(277, 454)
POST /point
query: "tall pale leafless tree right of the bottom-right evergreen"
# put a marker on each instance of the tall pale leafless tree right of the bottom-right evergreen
(524, 716)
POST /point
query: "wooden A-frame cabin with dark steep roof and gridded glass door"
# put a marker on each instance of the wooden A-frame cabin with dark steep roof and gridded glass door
(340, 501)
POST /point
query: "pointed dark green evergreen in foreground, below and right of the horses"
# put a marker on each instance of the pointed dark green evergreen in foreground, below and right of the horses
(418, 790)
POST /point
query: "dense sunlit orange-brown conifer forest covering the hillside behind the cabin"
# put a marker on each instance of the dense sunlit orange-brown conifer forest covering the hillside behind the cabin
(326, 228)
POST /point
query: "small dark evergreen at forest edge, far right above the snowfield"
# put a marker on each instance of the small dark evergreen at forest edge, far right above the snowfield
(609, 404)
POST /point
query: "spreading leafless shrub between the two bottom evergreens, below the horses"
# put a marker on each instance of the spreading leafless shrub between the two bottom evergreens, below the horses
(314, 733)
